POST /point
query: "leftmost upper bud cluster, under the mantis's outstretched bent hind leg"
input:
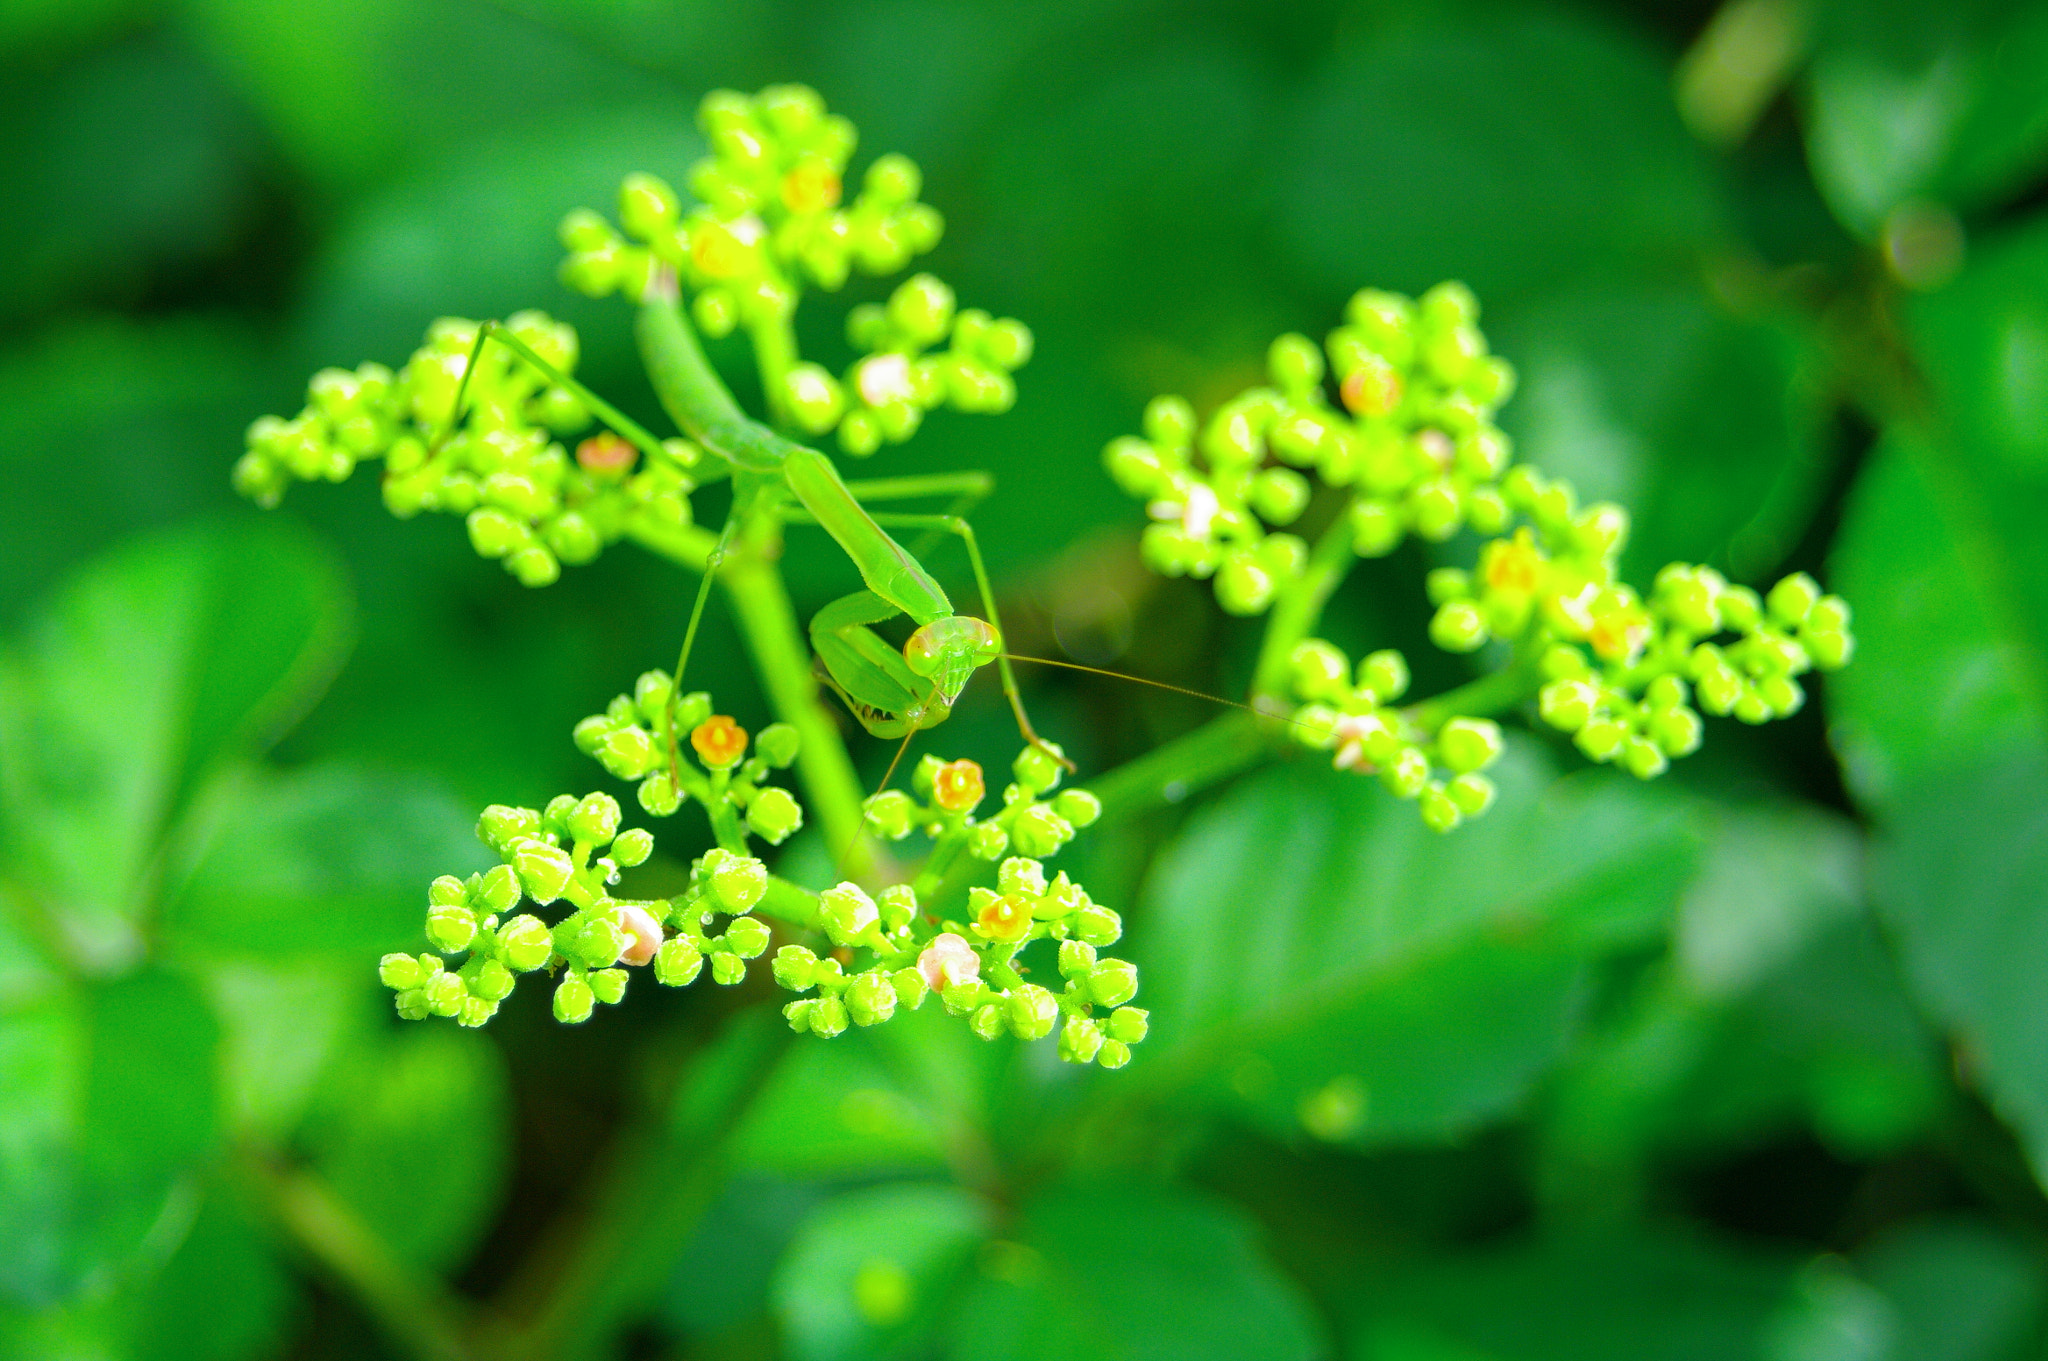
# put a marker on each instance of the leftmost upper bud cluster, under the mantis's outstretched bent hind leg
(527, 500)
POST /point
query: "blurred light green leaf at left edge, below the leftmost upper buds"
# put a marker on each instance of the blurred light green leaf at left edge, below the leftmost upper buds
(140, 678)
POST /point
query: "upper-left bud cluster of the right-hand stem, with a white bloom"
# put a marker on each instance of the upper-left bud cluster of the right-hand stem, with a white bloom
(1412, 435)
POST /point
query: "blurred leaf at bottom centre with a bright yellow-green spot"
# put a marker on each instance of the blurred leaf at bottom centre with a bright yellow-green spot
(871, 1272)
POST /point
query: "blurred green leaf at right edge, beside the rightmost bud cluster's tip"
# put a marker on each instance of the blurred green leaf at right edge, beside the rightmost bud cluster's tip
(1951, 664)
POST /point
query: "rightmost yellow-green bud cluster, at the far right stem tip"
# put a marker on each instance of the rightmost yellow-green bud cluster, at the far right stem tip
(1631, 701)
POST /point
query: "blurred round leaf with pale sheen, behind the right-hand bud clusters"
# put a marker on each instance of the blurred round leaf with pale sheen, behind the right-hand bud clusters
(1676, 410)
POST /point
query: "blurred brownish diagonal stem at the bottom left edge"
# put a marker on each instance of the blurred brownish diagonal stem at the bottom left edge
(413, 1307)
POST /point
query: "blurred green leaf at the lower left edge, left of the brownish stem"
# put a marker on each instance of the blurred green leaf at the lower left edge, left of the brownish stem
(110, 1104)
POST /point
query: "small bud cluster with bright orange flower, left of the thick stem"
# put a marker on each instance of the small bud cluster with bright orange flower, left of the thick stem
(650, 736)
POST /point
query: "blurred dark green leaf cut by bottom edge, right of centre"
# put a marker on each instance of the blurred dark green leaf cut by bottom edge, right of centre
(1625, 1299)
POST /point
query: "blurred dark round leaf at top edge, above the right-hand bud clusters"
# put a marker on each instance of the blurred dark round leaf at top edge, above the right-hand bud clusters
(1510, 152)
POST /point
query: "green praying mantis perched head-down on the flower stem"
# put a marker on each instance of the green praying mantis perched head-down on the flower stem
(892, 693)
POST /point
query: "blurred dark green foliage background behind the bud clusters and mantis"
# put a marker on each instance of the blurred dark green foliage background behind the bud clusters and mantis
(1750, 1063)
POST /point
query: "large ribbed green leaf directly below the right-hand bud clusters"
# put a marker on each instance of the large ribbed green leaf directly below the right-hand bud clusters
(1316, 953)
